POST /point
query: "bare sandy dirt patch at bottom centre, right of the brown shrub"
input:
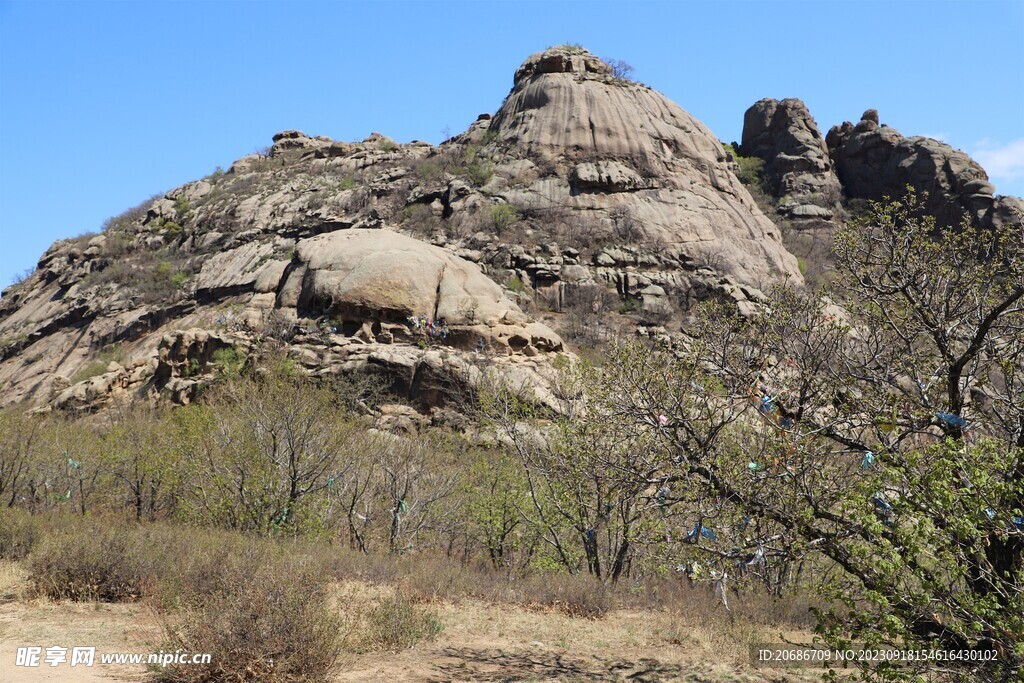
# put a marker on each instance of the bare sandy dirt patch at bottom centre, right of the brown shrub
(491, 644)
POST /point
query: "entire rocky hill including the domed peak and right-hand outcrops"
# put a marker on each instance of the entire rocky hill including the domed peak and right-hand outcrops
(586, 200)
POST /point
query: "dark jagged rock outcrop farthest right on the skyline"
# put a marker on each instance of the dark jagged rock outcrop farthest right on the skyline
(875, 161)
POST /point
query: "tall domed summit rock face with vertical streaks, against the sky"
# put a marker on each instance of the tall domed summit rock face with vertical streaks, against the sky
(621, 147)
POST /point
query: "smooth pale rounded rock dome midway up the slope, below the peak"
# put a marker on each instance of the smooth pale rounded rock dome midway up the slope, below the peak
(375, 282)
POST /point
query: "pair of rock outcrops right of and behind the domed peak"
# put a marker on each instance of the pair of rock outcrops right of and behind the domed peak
(816, 182)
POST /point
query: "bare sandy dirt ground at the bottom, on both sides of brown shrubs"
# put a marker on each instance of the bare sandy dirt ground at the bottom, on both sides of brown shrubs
(480, 643)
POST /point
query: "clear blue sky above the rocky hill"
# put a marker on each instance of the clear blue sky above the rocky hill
(104, 105)
